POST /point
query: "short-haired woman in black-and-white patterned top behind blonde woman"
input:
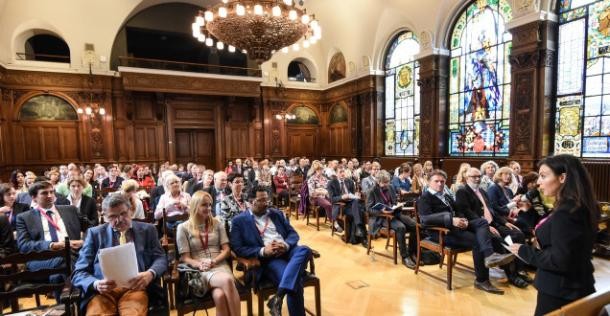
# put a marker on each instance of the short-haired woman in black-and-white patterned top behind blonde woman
(236, 202)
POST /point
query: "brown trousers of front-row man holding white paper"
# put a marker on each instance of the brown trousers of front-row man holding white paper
(120, 301)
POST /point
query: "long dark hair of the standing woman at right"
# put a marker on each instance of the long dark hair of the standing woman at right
(577, 187)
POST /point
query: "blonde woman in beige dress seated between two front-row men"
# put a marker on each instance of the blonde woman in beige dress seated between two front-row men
(203, 244)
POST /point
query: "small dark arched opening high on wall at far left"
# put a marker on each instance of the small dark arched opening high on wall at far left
(46, 47)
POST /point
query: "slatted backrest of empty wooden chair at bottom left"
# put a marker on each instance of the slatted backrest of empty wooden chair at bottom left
(15, 283)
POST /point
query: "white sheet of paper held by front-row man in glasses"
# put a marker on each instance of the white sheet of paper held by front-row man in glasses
(119, 263)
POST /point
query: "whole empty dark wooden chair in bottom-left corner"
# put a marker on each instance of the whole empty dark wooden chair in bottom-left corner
(17, 283)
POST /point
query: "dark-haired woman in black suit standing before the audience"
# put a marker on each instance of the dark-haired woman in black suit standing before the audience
(565, 238)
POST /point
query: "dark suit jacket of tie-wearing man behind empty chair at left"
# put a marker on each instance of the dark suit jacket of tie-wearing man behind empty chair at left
(30, 235)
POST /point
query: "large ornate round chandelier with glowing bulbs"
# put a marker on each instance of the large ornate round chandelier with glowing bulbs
(258, 27)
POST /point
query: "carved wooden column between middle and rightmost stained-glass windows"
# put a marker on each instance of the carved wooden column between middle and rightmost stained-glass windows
(531, 120)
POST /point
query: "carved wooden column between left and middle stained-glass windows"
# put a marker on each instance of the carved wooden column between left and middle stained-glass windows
(433, 74)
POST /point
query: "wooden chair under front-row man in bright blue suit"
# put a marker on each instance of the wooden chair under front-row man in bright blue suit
(265, 288)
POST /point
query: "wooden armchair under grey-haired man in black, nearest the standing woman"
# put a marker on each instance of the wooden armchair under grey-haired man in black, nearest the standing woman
(439, 247)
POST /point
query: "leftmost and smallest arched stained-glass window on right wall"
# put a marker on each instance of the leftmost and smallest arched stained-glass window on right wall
(402, 97)
